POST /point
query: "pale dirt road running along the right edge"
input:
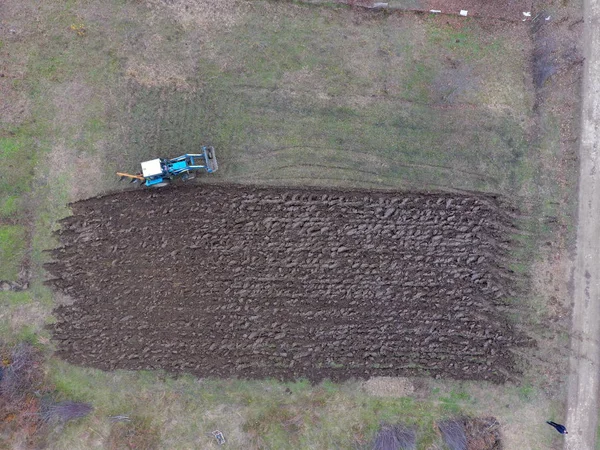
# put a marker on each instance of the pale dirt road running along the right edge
(583, 383)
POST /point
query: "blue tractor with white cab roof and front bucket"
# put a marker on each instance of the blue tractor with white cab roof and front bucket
(160, 171)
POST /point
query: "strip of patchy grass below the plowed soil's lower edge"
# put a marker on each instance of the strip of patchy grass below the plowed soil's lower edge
(280, 415)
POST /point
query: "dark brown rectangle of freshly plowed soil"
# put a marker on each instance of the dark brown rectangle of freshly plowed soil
(222, 280)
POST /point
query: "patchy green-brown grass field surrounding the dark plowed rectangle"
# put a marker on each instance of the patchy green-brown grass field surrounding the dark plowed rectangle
(322, 96)
